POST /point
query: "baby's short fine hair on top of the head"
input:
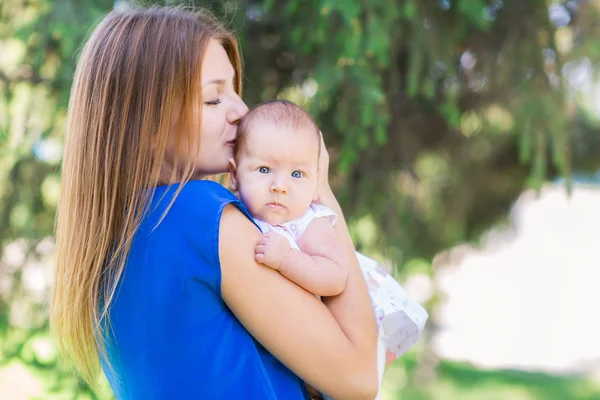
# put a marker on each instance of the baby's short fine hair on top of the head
(278, 112)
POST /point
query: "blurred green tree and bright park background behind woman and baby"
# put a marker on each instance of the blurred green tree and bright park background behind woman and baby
(465, 145)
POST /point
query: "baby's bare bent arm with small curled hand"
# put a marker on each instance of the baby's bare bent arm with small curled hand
(319, 272)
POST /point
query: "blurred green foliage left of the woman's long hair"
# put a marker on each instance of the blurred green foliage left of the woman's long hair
(38, 44)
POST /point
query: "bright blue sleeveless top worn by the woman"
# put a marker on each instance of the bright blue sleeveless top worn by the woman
(171, 334)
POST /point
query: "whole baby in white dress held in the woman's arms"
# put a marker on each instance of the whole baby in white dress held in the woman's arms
(274, 171)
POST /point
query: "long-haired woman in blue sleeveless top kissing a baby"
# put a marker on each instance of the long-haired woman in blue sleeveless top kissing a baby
(156, 275)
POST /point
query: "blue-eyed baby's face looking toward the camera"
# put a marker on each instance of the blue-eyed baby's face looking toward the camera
(276, 175)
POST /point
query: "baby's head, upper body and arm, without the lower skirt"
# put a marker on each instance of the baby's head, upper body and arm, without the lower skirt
(275, 173)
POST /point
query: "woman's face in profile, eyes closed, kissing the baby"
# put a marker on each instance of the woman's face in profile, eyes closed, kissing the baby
(222, 109)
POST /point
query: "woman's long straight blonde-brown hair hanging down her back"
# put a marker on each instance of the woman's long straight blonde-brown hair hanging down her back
(139, 67)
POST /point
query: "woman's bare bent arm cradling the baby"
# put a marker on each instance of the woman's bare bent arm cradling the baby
(333, 350)
